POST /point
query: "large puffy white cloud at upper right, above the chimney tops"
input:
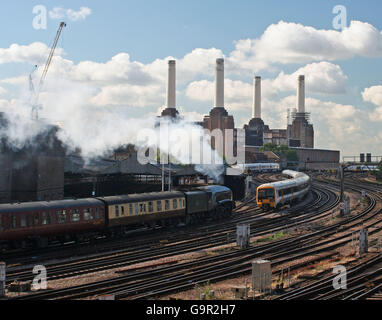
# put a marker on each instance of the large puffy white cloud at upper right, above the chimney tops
(288, 42)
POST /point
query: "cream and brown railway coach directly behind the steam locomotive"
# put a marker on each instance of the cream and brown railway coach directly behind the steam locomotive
(145, 209)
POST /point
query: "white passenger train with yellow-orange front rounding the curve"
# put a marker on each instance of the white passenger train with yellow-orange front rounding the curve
(273, 195)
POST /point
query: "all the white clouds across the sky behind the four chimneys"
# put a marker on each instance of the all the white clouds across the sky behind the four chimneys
(123, 82)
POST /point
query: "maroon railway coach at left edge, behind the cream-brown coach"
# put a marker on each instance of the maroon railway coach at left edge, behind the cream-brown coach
(40, 221)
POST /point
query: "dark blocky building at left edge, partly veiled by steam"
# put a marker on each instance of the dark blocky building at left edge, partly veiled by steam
(33, 173)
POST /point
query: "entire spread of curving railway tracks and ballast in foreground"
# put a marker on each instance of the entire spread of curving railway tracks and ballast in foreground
(303, 242)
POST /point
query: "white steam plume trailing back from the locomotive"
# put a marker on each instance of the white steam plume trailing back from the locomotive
(97, 131)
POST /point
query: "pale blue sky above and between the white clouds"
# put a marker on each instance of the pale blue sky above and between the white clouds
(150, 30)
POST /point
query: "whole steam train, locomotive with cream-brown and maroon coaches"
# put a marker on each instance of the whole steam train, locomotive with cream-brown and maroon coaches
(41, 223)
